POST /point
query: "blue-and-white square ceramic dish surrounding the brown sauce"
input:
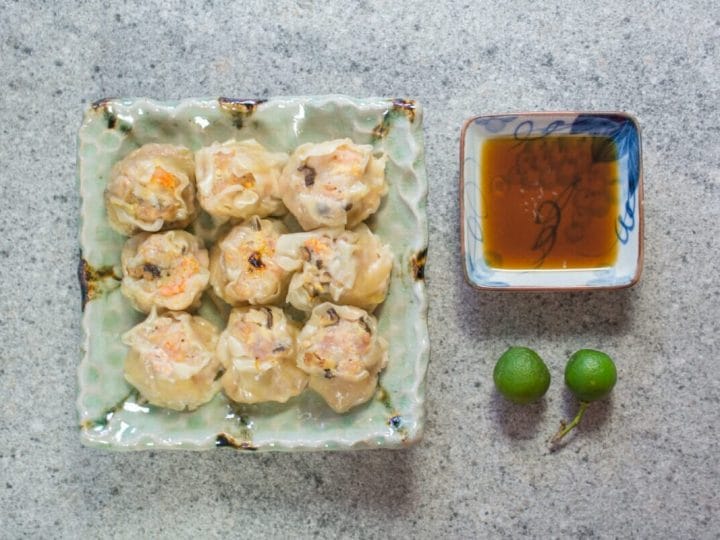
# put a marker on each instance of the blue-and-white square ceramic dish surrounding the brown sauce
(620, 127)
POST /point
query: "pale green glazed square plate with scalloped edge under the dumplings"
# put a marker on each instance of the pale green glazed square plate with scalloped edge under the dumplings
(111, 415)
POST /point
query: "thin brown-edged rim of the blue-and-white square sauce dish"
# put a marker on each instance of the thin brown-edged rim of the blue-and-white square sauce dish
(541, 288)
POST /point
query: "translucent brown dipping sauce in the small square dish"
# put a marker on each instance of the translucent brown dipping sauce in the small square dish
(550, 202)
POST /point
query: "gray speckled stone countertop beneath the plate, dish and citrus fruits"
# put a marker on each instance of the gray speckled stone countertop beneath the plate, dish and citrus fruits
(643, 465)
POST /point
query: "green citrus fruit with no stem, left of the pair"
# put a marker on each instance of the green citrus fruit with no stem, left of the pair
(521, 375)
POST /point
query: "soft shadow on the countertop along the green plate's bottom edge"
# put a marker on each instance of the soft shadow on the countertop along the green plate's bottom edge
(323, 485)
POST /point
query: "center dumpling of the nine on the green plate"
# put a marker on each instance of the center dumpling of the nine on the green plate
(243, 269)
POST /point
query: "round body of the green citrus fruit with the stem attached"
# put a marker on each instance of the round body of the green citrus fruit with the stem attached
(590, 374)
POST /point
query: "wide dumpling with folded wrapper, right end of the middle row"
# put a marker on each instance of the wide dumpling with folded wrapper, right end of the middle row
(345, 267)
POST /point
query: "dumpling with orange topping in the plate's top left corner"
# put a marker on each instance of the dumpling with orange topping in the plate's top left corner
(152, 189)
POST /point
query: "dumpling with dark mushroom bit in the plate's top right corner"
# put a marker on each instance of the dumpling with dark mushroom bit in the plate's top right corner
(333, 184)
